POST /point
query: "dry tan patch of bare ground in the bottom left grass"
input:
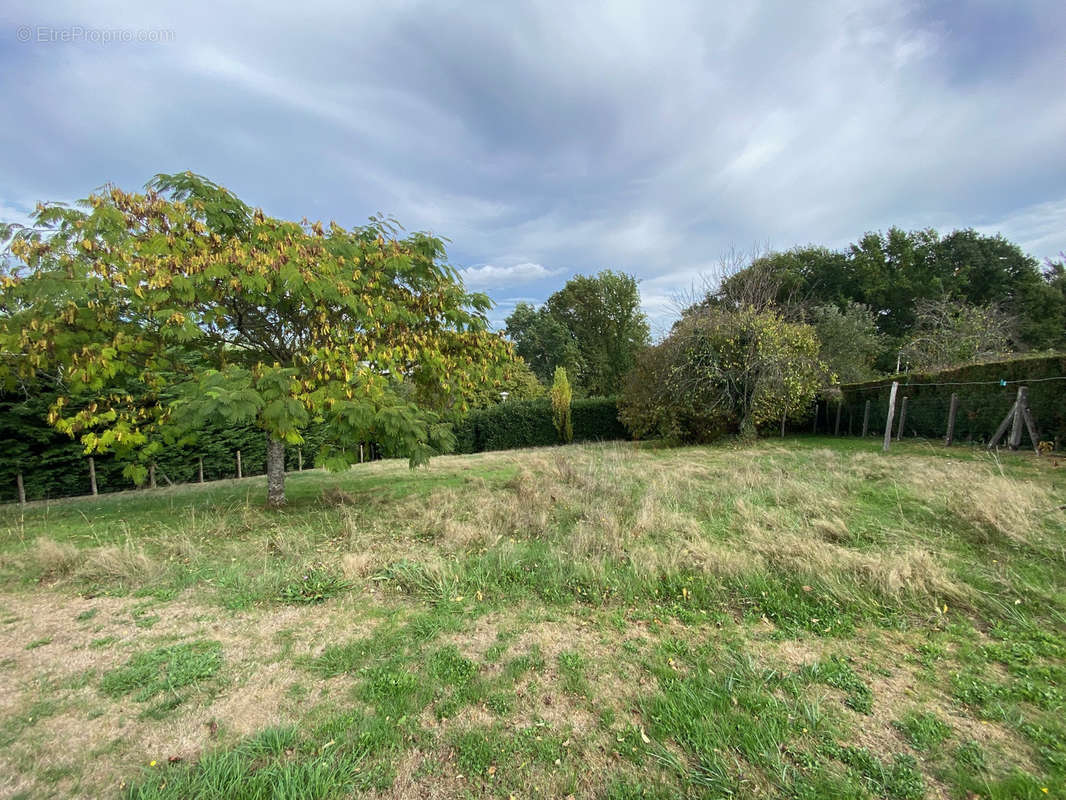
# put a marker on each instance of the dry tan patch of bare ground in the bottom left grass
(115, 740)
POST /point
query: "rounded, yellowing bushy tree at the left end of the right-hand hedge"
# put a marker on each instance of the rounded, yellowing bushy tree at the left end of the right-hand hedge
(724, 372)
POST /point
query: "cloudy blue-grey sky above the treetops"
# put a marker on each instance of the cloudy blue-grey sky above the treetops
(552, 139)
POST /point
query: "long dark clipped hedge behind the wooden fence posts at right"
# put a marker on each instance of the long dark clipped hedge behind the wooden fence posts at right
(983, 402)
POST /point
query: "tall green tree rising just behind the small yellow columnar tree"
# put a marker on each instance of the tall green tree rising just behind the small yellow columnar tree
(603, 316)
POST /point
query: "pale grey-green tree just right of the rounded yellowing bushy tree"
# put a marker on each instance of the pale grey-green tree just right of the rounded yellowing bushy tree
(849, 342)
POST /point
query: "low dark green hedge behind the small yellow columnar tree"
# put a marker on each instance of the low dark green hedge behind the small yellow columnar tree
(528, 424)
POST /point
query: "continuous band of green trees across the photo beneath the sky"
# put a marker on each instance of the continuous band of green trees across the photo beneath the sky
(136, 322)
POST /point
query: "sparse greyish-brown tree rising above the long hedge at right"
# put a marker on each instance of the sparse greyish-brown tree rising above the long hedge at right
(950, 334)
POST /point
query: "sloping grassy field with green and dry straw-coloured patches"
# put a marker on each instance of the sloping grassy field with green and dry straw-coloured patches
(807, 619)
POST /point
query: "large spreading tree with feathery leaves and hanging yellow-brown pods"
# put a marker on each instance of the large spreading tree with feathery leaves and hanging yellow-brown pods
(219, 311)
